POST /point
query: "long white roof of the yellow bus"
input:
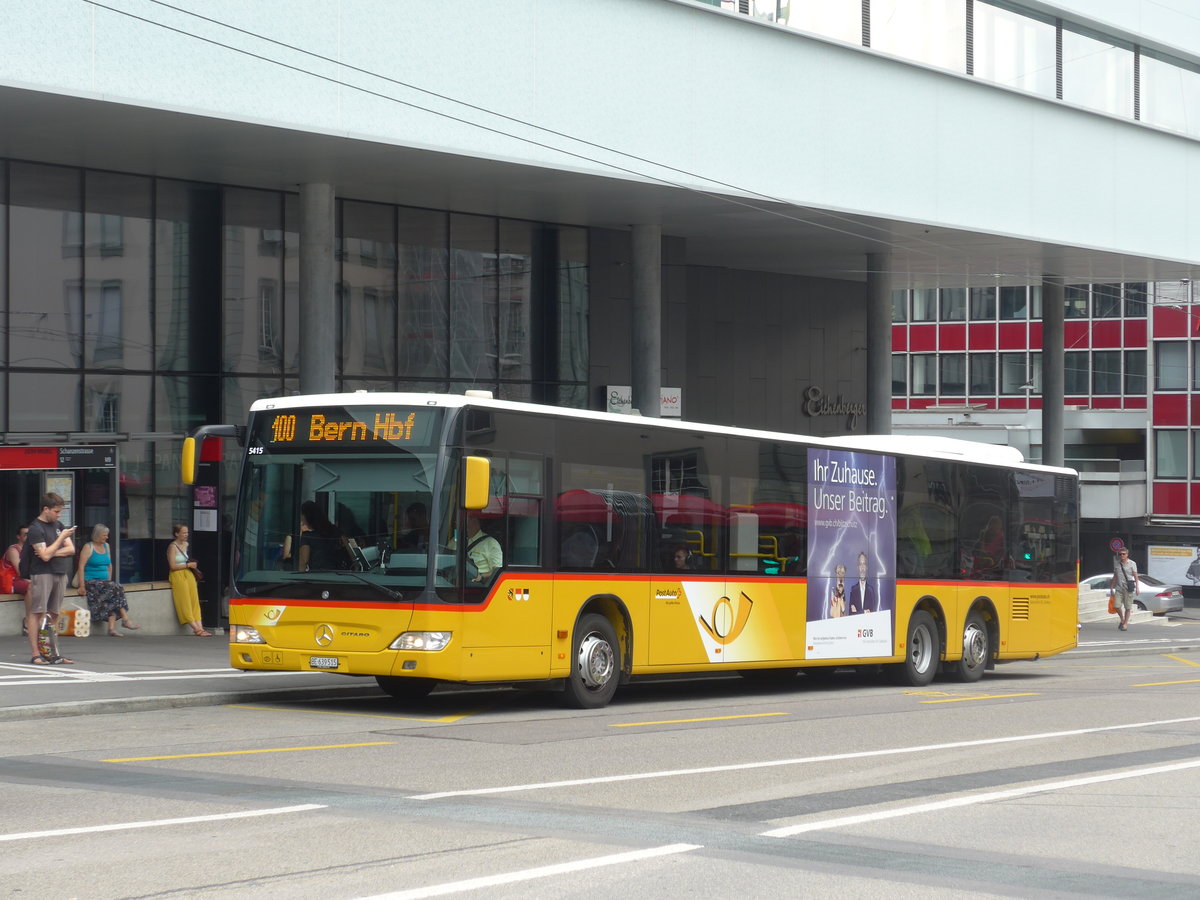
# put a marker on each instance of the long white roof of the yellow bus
(892, 445)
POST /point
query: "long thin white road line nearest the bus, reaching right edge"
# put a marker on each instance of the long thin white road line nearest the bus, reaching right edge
(800, 761)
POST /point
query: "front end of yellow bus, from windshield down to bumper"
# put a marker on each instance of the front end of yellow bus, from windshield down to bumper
(344, 557)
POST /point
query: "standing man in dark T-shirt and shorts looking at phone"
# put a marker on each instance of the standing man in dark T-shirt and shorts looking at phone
(51, 566)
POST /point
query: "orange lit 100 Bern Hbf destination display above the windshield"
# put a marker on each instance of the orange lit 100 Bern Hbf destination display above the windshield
(344, 429)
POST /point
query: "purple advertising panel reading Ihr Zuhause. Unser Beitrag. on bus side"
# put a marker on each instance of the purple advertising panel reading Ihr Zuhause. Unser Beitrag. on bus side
(853, 551)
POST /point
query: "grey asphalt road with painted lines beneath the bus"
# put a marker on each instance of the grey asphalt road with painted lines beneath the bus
(1071, 777)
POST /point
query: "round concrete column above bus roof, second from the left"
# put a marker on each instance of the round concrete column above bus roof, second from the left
(646, 359)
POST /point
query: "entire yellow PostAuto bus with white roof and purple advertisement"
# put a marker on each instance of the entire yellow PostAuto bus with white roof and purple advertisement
(430, 538)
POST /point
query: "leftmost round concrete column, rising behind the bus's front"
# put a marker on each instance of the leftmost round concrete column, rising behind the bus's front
(319, 305)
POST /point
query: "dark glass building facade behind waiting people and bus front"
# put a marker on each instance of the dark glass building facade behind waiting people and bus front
(137, 309)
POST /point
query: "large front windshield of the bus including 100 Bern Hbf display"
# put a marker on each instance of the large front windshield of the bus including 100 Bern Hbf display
(331, 508)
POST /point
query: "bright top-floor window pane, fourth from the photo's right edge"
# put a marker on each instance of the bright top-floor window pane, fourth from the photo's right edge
(932, 32)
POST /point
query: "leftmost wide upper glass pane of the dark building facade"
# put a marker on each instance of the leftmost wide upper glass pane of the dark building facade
(46, 267)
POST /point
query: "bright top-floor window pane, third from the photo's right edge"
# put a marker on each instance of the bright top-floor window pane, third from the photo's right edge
(1015, 50)
